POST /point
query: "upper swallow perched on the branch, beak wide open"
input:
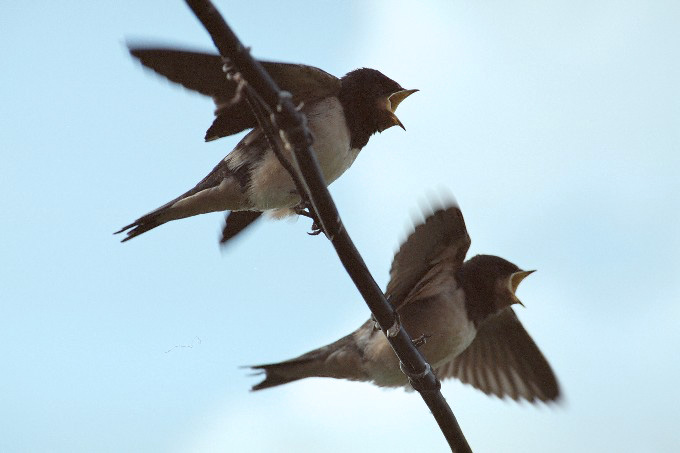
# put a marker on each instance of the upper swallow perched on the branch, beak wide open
(342, 114)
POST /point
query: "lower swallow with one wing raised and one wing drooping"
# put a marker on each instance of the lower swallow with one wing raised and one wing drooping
(459, 313)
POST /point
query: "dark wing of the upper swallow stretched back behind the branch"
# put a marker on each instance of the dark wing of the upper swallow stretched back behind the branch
(202, 72)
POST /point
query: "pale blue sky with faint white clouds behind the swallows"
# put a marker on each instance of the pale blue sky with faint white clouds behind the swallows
(555, 124)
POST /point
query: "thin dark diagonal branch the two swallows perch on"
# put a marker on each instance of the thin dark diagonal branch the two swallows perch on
(292, 126)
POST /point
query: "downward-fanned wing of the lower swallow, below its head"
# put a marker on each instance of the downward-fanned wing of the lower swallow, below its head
(504, 360)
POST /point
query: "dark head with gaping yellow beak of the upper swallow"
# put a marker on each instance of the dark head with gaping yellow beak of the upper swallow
(370, 99)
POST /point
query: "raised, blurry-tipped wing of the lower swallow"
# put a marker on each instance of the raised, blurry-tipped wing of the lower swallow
(441, 239)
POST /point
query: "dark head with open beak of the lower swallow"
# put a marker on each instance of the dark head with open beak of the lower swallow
(490, 284)
